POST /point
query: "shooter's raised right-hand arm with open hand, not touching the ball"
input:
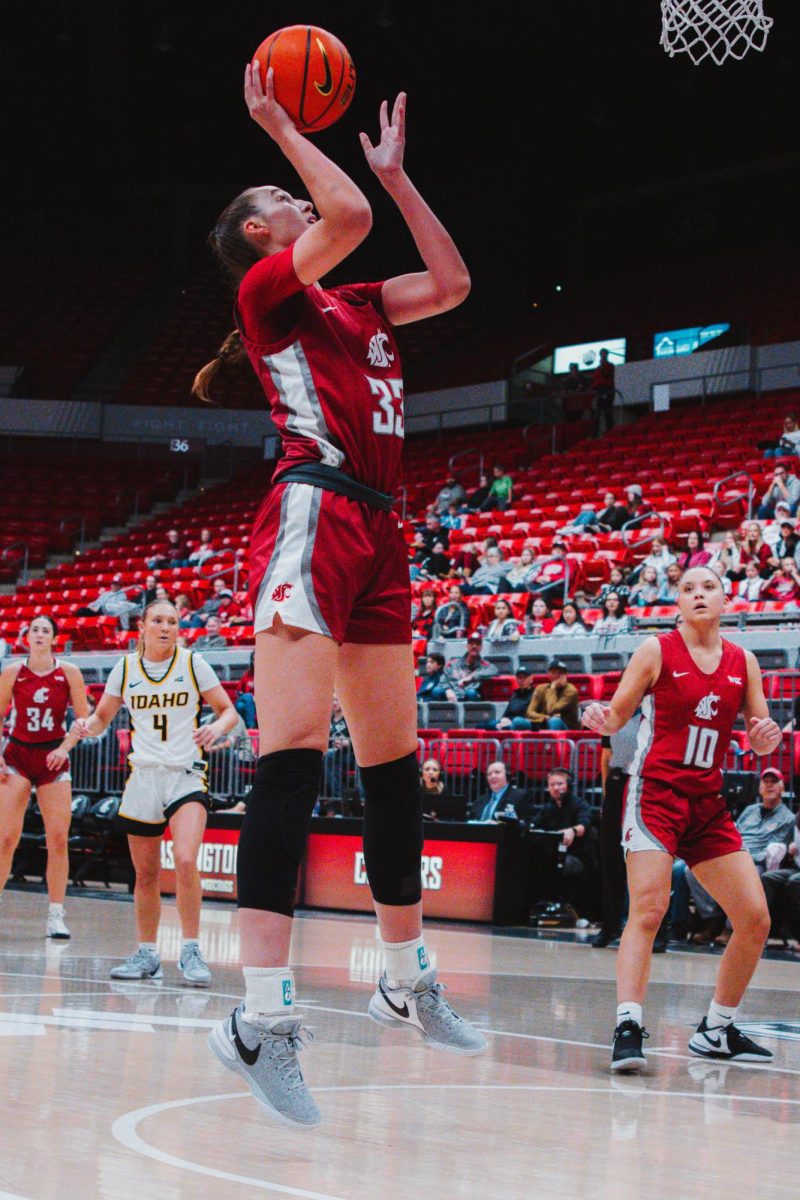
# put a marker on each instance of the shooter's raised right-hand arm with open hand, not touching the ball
(446, 281)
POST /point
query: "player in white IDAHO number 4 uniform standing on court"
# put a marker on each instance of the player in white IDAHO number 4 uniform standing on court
(164, 688)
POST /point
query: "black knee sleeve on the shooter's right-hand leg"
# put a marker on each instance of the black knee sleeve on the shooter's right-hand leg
(393, 831)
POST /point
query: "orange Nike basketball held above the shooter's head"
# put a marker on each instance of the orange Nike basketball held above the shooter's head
(314, 75)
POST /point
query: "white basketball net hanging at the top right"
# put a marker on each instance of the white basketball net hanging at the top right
(714, 29)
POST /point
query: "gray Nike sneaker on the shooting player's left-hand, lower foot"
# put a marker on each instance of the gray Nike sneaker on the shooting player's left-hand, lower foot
(266, 1055)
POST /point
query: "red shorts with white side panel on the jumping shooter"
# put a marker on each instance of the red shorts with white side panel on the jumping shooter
(330, 565)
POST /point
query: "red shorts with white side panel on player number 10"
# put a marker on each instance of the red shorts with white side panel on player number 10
(695, 829)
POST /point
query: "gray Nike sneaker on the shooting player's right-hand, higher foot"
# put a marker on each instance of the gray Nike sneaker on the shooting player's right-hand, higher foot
(425, 1009)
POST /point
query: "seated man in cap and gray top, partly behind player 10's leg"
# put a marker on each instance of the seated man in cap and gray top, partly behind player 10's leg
(761, 825)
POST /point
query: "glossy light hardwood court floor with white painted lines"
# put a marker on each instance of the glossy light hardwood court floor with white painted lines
(110, 1091)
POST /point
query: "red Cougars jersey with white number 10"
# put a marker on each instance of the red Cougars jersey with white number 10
(688, 718)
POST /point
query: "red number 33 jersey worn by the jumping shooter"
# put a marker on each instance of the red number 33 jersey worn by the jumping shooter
(330, 369)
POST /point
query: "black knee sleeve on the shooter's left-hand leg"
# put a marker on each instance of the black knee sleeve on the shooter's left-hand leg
(275, 829)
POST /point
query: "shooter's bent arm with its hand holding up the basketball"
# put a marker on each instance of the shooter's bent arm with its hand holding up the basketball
(345, 213)
